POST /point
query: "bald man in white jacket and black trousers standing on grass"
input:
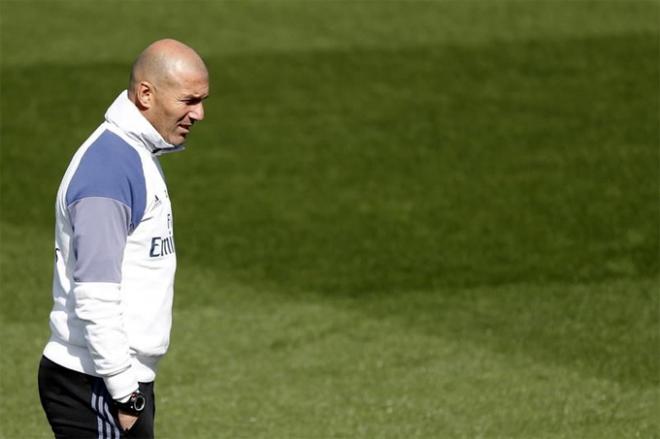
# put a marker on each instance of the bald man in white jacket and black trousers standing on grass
(115, 255)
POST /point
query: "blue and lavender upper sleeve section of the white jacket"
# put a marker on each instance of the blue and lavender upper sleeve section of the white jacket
(106, 199)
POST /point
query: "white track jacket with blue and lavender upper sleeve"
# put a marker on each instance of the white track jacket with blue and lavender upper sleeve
(114, 255)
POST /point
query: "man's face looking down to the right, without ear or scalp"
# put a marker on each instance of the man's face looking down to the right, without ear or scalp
(178, 104)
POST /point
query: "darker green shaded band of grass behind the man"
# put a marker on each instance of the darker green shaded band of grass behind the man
(361, 175)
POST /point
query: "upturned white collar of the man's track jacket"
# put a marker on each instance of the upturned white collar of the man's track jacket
(125, 115)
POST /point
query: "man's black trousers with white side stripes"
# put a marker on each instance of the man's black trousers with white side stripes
(78, 406)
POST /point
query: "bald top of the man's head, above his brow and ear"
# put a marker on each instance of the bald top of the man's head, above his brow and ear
(162, 62)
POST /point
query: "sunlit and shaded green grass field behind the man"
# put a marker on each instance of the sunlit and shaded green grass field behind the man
(400, 219)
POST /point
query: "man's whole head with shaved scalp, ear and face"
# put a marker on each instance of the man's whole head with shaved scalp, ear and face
(168, 83)
